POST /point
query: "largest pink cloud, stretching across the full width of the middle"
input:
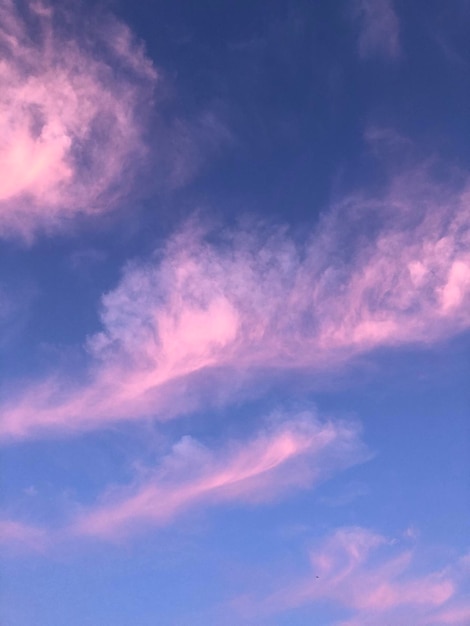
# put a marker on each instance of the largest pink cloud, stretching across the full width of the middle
(377, 271)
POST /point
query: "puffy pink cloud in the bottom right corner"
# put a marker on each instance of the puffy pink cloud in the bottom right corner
(352, 570)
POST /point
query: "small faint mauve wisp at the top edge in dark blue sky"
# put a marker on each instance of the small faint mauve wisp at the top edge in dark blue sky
(379, 32)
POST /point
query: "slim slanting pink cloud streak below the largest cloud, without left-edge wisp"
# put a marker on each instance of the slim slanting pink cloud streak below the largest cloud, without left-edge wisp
(292, 454)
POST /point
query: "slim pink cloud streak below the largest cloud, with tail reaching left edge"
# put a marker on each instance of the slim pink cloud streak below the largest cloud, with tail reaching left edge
(290, 452)
